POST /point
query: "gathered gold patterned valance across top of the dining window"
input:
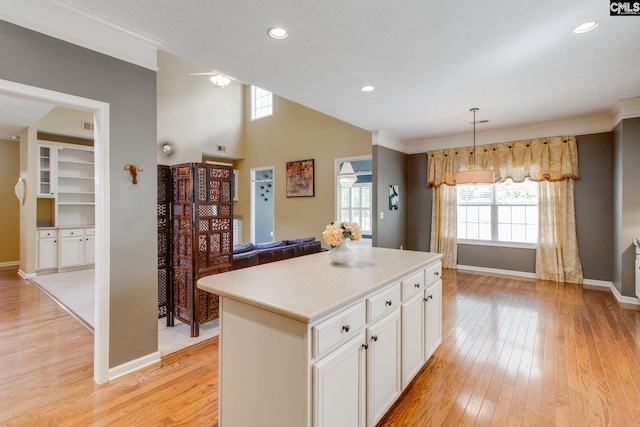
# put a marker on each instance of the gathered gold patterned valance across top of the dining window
(541, 159)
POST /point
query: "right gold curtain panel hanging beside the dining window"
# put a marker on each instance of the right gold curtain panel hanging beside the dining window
(557, 253)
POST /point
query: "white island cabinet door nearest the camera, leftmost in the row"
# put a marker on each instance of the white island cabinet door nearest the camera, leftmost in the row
(338, 387)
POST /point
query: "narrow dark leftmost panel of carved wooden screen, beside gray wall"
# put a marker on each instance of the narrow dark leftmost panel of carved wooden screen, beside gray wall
(164, 244)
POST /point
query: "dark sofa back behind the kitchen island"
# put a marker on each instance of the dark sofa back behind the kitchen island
(249, 254)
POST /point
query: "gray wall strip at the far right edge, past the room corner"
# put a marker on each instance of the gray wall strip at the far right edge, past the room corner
(626, 202)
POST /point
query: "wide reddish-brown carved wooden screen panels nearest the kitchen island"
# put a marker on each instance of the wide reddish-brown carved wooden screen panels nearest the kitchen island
(202, 237)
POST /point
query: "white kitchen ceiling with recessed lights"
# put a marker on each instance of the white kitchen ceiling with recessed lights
(430, 62)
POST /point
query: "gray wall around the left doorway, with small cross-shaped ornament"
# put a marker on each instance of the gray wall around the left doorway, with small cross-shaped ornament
(33, 59)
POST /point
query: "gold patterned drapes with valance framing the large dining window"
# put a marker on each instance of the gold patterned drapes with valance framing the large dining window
(551, 161)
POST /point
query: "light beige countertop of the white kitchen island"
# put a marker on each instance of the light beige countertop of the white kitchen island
(307, 288)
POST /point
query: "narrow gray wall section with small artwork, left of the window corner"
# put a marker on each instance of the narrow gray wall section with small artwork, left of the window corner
(389, 168)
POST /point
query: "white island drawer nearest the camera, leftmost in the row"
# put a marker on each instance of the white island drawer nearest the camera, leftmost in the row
(338, 328)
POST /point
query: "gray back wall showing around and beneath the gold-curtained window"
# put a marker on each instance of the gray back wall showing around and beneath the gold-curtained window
(594, 215)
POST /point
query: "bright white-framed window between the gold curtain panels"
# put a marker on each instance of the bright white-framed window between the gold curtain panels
(501, 212)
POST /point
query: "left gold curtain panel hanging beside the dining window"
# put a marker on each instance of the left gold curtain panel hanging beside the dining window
(444, 218)
